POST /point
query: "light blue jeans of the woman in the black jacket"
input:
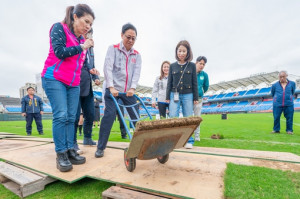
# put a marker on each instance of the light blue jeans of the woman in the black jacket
(187, 104)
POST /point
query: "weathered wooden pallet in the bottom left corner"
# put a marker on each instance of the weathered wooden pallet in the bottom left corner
(21, 181)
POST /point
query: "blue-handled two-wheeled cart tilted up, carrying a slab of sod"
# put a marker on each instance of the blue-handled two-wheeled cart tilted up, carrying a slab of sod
(155, 138)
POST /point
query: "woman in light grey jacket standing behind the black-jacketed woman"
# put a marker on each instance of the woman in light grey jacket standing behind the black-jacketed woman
(159, 89)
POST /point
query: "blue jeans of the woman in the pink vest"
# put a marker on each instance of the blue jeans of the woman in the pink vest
(64, 102)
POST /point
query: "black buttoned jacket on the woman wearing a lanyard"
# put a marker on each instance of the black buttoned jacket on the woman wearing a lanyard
(188, 82)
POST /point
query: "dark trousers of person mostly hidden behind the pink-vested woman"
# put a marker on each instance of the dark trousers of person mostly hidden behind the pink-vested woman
(86, 103)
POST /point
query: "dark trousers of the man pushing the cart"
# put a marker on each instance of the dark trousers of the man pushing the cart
(110, 116)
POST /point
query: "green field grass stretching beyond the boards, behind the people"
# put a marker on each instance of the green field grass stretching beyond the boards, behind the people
(240, 131)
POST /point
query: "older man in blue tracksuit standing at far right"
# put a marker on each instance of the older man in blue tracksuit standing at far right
(283, 101)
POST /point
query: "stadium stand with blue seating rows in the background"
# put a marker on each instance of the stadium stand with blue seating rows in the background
(254, 99)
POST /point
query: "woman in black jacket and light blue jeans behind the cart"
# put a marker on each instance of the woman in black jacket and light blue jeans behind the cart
(182, 84)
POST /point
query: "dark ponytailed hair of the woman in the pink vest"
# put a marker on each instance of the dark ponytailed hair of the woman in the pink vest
(80, 10)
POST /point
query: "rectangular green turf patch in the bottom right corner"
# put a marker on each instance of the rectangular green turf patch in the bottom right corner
(243, 182)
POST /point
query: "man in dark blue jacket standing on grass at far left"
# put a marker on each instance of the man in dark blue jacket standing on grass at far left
(32, 107)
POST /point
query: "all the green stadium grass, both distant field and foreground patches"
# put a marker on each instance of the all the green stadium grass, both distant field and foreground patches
(240, 131)
